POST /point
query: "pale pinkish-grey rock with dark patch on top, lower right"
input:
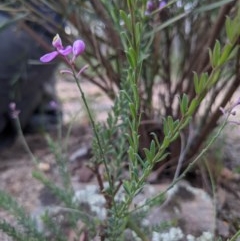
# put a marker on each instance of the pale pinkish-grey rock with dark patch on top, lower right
(189, 208)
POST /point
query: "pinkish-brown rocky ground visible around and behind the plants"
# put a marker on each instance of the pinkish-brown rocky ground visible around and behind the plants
(197, 211)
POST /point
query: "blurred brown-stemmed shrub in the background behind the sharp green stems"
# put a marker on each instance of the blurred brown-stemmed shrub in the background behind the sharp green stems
(176, 43)
